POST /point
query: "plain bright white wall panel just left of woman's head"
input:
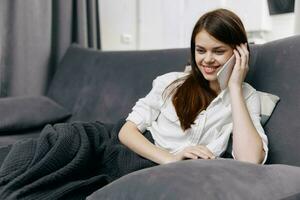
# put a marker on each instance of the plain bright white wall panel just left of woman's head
(160, 23)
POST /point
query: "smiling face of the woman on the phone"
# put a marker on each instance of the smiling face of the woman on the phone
(210, 55)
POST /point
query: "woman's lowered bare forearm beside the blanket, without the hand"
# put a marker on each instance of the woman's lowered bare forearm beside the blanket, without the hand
(131, 137)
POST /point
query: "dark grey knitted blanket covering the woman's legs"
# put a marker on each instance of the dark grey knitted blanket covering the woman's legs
(67, 161)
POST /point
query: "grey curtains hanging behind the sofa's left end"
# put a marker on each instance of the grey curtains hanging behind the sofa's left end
(35, 34)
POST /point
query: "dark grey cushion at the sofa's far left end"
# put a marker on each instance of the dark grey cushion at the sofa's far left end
(19, 113)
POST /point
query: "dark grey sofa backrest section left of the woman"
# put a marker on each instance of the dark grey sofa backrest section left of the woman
(104, 86)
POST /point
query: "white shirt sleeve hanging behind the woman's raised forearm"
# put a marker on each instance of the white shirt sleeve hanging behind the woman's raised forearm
(253, 105)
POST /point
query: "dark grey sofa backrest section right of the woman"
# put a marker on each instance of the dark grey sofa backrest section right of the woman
(275, 69)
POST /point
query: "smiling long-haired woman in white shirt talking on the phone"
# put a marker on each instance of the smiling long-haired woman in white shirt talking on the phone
(187, 113)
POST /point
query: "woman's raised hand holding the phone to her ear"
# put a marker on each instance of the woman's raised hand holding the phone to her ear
(240, 68)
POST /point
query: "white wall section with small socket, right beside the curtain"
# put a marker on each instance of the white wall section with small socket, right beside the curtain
(118, 24)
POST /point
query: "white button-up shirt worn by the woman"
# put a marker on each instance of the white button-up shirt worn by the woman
(211, 128)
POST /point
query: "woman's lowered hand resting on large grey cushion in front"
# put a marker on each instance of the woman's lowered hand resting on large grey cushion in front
(193, 152)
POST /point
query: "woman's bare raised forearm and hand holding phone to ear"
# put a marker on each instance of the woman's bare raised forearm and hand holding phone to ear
(247, 144)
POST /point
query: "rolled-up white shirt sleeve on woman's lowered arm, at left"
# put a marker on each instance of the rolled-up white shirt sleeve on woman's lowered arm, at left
(147, 109)
